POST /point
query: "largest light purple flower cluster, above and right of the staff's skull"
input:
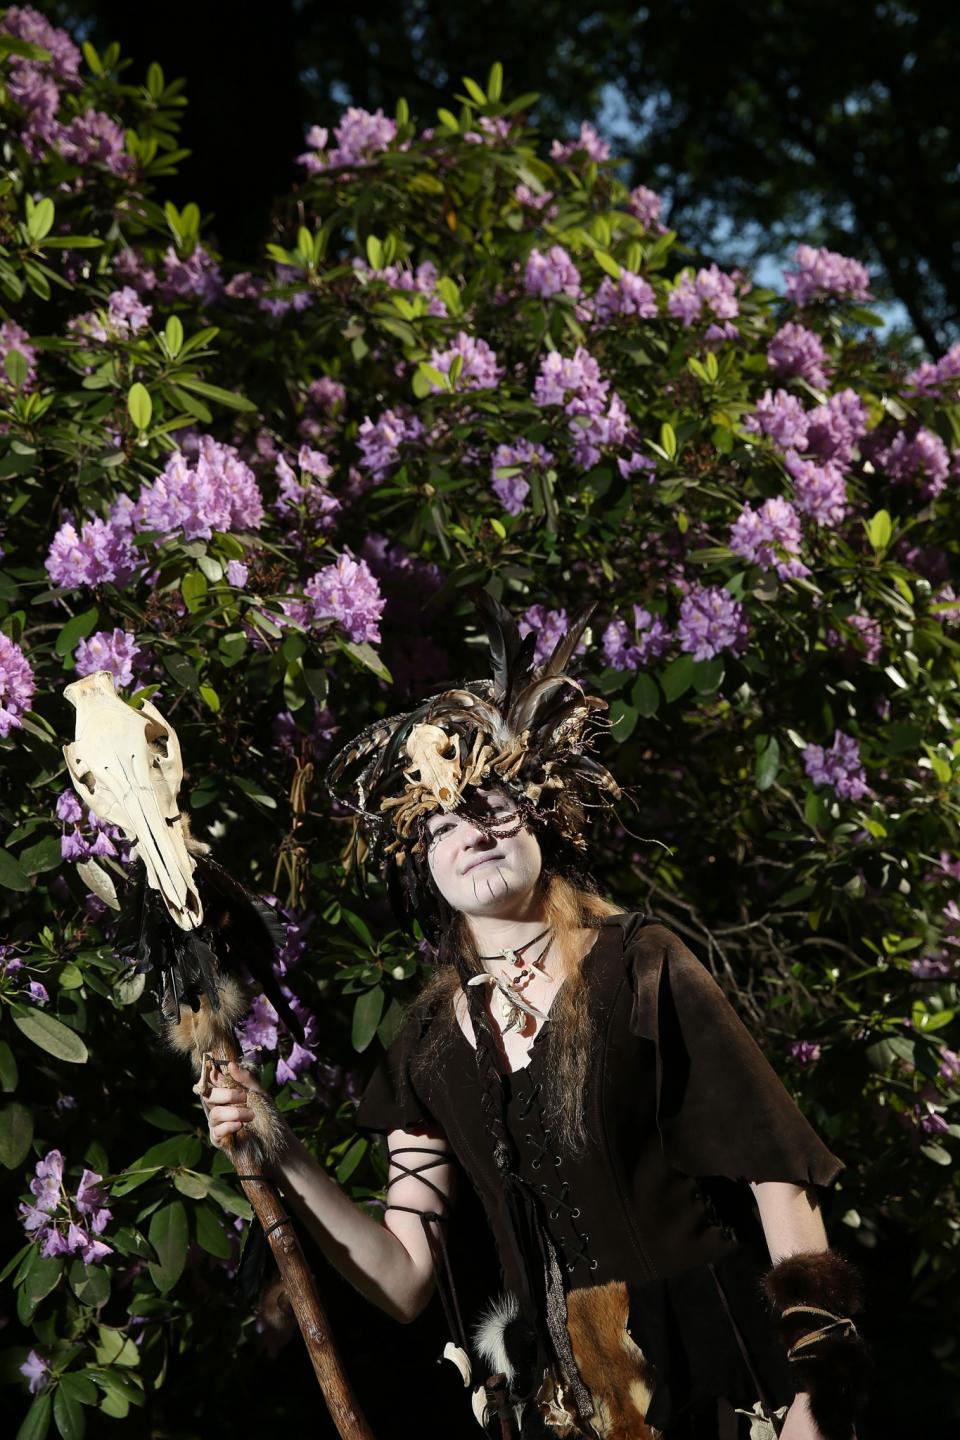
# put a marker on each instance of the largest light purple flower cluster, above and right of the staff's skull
(214, 492)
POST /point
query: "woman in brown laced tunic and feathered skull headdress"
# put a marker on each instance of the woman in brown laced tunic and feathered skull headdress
(640, 1163)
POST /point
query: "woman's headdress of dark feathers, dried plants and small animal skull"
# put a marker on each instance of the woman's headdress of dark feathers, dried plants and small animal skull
(526, 731)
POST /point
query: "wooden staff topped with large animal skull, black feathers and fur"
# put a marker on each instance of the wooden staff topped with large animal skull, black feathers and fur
(192, 924)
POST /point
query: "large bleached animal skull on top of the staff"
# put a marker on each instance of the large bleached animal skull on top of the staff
(126, 767)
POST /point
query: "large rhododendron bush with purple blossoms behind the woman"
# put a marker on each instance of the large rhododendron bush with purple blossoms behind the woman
(261, 498)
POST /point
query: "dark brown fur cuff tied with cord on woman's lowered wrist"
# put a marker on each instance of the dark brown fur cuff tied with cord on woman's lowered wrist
(831, 1367)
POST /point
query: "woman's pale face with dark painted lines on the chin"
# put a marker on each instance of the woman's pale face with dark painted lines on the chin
(479, 873)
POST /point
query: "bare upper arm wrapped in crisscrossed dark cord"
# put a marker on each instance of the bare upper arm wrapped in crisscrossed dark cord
(427, 1192)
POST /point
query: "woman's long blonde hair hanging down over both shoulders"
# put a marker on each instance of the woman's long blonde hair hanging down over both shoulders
(568, 911)
